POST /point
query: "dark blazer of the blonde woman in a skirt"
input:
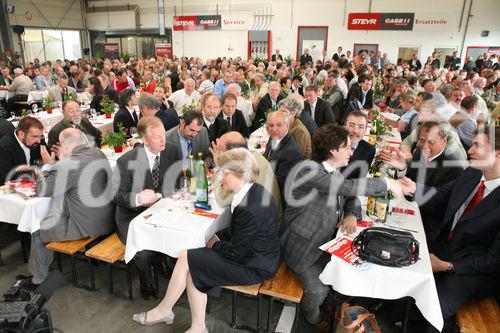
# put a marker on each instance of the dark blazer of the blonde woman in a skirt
(252, 238)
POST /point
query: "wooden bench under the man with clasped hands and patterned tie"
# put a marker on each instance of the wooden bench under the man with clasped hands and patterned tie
(111, 250)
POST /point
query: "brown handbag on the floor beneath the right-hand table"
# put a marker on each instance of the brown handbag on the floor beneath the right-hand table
(356, 319)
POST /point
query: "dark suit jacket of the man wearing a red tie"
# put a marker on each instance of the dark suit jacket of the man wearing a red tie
(474, 248)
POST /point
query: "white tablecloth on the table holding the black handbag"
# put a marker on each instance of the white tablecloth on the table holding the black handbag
(371, 280)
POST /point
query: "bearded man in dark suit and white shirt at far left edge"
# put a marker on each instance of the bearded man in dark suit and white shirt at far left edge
(21, 148)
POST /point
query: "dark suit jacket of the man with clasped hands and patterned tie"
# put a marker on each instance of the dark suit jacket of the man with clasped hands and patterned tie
(133, 181)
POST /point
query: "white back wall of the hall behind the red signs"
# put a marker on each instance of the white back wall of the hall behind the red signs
(289, 14)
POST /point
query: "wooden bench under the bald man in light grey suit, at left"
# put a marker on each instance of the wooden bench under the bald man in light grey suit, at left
(71, 248)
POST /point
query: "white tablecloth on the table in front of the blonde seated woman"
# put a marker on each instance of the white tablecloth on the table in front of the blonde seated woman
(171, 229)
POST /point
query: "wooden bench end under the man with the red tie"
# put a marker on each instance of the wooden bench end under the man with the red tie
(479, 317)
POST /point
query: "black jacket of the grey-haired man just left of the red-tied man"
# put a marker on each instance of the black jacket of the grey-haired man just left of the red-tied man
(438, 174)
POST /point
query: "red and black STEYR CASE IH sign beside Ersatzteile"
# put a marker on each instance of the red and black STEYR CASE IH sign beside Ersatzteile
(381, 21)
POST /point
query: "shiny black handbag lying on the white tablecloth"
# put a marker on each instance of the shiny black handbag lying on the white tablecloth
(387, 247)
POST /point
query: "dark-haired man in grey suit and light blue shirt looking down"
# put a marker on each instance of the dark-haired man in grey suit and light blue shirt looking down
(190, 138)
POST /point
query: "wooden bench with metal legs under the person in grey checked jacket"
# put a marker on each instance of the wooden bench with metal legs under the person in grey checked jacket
(285, 286)
